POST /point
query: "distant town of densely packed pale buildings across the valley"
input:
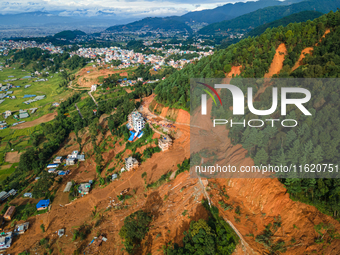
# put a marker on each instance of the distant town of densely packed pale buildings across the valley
(106, 55)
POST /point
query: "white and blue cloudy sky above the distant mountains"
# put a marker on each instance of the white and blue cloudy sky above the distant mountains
(132, 8)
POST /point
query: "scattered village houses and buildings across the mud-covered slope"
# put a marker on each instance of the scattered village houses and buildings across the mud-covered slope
(59, 168)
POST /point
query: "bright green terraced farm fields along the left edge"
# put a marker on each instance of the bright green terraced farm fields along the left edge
(20, 137)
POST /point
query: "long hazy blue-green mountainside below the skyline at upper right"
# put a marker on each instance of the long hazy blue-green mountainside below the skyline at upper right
(257, 18)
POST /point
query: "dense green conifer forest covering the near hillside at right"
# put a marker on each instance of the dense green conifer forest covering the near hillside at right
(317, 140)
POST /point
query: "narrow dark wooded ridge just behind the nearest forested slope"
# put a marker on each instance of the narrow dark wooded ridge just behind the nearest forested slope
(296, 17)
